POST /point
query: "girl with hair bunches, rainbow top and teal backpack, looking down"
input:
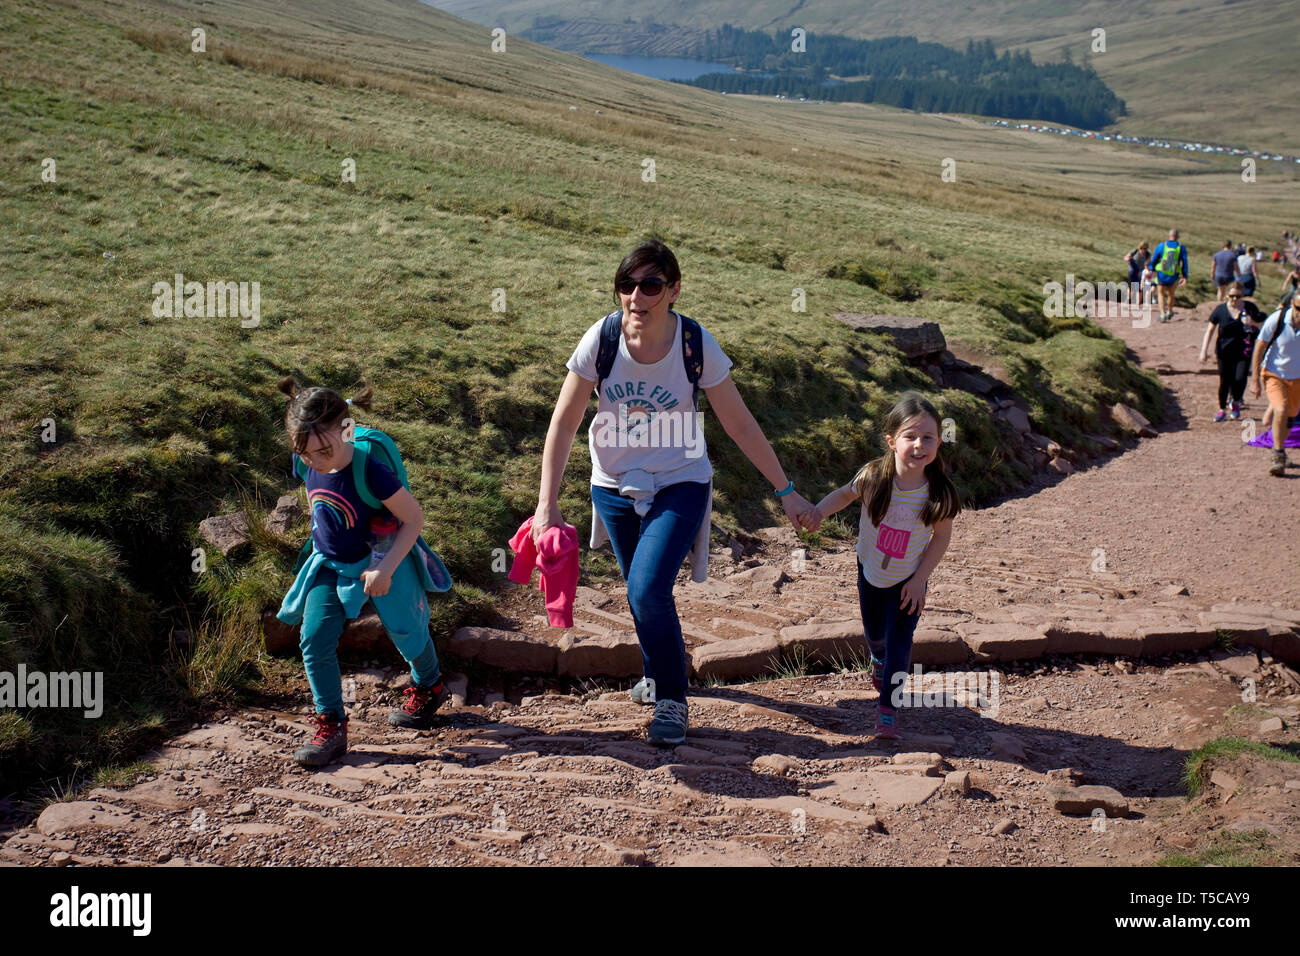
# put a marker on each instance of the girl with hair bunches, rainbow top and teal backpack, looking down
(366, 543)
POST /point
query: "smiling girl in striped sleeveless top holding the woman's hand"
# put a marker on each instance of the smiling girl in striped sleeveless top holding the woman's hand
(907, 522)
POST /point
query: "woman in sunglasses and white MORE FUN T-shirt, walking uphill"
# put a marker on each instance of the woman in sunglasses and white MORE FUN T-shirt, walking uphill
(652, 495)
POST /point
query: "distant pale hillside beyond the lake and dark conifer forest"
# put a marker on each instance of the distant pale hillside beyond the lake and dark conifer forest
(1190, 70)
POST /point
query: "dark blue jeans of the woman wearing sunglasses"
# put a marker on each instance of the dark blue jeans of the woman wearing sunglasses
(651, 552)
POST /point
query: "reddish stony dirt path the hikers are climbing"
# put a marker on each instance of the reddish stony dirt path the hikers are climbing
(785, 772)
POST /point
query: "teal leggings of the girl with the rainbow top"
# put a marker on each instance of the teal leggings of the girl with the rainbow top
(402, 612)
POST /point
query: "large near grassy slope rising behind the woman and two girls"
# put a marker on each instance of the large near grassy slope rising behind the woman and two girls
(475, 172)
